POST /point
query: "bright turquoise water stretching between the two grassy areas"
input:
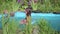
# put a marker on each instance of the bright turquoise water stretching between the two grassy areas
(53, 19)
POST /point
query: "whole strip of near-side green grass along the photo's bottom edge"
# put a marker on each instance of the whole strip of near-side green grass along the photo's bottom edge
(42, 27)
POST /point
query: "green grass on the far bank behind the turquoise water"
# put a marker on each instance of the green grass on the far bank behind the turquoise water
(47, 6)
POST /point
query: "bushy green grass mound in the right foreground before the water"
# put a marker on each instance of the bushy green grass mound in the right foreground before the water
(45, 28)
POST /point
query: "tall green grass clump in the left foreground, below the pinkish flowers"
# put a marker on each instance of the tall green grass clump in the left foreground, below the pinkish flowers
(9, 26)
